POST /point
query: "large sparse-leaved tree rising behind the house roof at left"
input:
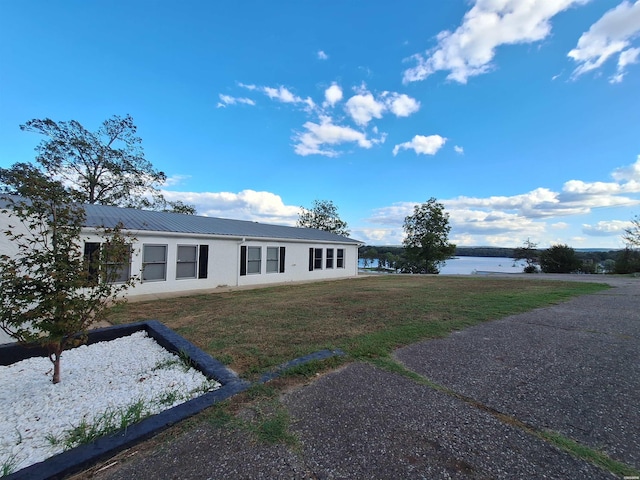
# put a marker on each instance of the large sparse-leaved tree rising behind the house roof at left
(106, 167)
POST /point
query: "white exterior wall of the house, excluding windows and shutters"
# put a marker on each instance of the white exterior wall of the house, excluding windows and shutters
(223, 262)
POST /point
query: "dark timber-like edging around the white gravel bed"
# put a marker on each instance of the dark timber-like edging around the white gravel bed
(80, 458)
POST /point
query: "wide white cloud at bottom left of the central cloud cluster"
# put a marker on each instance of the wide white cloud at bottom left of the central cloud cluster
(317, 136)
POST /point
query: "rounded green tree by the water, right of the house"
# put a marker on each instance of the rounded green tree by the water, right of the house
(426, 243)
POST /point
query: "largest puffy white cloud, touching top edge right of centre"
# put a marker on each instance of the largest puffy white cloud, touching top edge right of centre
(470, 49)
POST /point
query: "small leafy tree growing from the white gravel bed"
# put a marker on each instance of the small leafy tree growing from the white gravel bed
(50, 291)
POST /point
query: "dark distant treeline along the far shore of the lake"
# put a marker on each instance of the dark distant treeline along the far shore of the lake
(377, 252)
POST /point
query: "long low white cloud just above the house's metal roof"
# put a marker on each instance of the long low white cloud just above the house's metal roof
(245, 205)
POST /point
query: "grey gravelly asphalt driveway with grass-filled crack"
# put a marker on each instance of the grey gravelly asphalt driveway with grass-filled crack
(573, 368)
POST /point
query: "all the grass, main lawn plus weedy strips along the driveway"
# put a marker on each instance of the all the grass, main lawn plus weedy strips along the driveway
(253, 331)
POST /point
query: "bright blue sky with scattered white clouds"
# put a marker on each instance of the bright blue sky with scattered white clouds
(521, 116)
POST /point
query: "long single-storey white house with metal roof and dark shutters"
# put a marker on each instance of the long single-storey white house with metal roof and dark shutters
(173, 252)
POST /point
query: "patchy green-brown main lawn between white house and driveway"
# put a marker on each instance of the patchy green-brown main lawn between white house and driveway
(253, 331)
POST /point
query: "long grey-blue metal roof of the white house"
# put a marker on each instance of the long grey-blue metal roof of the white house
(146, 220)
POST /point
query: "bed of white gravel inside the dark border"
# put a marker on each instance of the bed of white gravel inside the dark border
(103, 377)
